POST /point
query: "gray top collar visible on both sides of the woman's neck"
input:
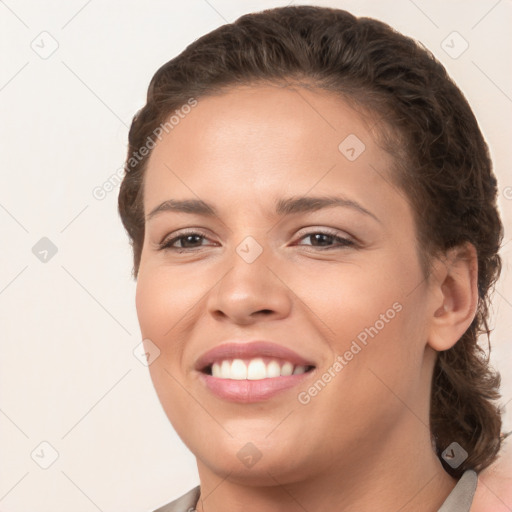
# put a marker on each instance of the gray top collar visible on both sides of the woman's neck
(459, 500)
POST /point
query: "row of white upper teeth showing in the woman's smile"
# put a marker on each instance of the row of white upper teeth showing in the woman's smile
(255, 369)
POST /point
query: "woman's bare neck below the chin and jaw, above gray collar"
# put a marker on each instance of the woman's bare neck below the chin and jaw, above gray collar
(400, 472)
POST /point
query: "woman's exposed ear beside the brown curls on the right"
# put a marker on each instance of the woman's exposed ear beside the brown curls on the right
(454, 286)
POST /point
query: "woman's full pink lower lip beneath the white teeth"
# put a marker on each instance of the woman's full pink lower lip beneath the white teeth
(250, 391)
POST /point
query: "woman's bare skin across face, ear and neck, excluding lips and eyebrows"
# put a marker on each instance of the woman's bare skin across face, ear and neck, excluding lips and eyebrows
(363, 442)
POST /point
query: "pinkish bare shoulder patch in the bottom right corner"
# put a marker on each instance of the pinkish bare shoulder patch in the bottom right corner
(494, 489)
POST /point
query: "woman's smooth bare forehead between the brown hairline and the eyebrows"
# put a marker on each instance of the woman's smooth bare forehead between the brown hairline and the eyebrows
(251, 140)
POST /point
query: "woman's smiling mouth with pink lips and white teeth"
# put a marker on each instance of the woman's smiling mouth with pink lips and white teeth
(252, 372)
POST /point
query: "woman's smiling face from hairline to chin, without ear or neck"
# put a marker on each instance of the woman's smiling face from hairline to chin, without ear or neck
(337, 287)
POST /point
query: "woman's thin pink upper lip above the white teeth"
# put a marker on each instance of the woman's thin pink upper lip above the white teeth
(249, 350)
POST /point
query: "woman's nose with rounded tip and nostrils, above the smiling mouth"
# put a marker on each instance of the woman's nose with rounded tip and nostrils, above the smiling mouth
(250, 292)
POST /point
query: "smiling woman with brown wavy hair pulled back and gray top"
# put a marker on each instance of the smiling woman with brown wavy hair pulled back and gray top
(313, 217)
